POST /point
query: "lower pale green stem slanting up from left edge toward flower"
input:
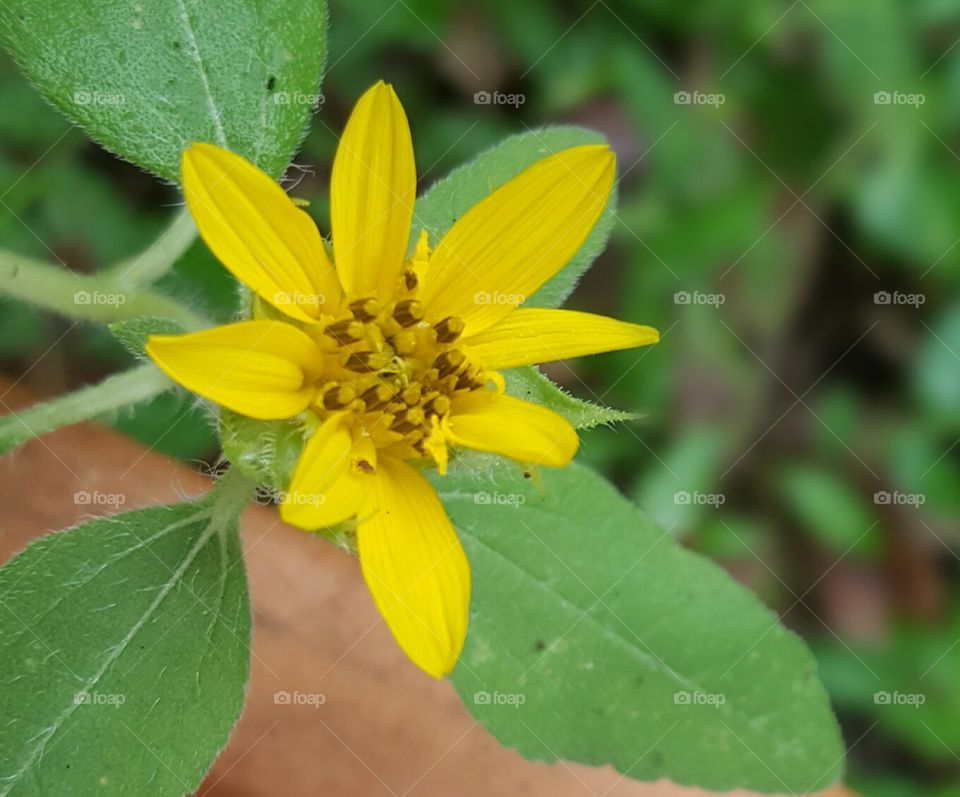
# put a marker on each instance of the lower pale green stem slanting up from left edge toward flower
(120, 390)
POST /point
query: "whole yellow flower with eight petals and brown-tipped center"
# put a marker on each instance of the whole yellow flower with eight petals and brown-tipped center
(389, 360)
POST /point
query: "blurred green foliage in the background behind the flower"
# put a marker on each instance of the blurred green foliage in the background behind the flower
(793, 231)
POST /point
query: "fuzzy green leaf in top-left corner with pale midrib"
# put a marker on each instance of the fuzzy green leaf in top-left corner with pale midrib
(145, 79)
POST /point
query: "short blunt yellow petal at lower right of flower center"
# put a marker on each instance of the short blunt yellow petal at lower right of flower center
(500, 424)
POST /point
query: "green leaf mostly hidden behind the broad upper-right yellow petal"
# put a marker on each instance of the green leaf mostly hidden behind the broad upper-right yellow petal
(448, 199)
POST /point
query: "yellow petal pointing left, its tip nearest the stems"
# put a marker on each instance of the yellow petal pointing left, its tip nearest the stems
(263, 369)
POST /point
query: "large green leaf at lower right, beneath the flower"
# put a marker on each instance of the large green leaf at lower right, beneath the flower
(595, 638)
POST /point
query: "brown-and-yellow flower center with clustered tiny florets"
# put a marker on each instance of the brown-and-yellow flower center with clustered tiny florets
(394, 375)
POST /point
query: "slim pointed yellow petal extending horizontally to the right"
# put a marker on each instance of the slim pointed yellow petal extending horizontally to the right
(533, 335)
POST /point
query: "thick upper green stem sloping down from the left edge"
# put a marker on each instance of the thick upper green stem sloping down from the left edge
(99, 297)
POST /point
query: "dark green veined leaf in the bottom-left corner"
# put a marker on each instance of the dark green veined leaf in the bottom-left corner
(124, 646)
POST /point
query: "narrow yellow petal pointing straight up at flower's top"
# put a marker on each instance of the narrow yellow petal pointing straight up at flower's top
(372, 190)
